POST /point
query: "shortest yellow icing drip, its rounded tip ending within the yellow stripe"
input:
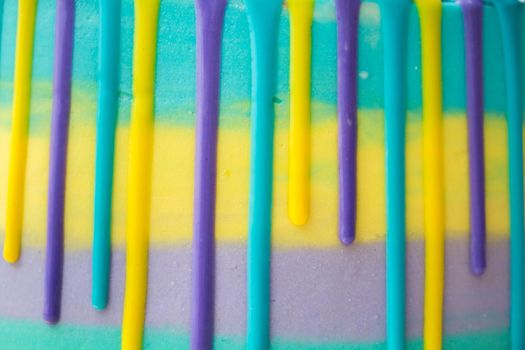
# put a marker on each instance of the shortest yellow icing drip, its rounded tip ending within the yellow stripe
(301, 16)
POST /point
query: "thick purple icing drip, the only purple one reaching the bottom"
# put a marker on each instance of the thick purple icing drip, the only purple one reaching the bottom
(210, 17)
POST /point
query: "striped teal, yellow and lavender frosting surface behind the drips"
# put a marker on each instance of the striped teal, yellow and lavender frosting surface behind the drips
(323, 295)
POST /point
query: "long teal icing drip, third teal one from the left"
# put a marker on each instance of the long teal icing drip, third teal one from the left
(394, 28)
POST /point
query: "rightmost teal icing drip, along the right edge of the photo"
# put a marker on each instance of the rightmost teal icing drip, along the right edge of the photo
(509, 17)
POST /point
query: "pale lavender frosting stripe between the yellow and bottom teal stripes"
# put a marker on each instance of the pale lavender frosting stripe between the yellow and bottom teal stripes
(336, 294)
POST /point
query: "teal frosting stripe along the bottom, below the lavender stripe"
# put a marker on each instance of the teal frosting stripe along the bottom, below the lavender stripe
(24, 335)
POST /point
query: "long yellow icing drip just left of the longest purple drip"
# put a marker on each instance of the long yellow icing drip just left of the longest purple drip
(139, 173)
